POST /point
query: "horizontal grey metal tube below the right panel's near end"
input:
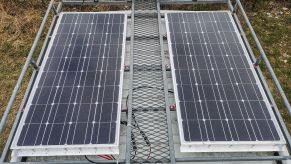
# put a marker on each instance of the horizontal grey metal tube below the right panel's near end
(224, 159)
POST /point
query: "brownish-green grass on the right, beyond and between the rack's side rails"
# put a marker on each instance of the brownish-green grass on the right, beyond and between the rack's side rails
(272, 22)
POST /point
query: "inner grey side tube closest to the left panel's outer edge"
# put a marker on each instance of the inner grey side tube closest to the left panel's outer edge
(27, 92)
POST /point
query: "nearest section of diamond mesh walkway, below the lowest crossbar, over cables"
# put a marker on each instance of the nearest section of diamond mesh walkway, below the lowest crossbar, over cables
(154, 125)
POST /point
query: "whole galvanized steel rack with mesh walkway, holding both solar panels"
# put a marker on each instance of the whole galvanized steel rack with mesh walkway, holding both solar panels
(149, 132)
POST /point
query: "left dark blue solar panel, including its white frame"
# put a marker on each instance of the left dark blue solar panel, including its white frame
(76, 99)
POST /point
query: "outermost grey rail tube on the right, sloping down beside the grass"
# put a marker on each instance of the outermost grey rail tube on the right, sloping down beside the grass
(265, 59)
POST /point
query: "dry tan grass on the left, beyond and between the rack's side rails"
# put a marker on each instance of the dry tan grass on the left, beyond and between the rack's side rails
(19, 23)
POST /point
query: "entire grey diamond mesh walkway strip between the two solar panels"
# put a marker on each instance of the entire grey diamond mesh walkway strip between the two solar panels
(149, 133)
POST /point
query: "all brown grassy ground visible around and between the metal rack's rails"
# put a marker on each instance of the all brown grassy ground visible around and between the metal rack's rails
(20, 20)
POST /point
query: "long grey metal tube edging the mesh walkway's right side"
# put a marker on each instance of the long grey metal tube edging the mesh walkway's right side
(169, 125)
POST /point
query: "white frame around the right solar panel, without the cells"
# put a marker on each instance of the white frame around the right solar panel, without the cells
(222, 146)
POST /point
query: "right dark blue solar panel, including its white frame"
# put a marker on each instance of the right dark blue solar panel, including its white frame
(218, 94)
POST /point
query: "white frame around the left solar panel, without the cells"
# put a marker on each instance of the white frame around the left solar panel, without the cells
(80, 149)
